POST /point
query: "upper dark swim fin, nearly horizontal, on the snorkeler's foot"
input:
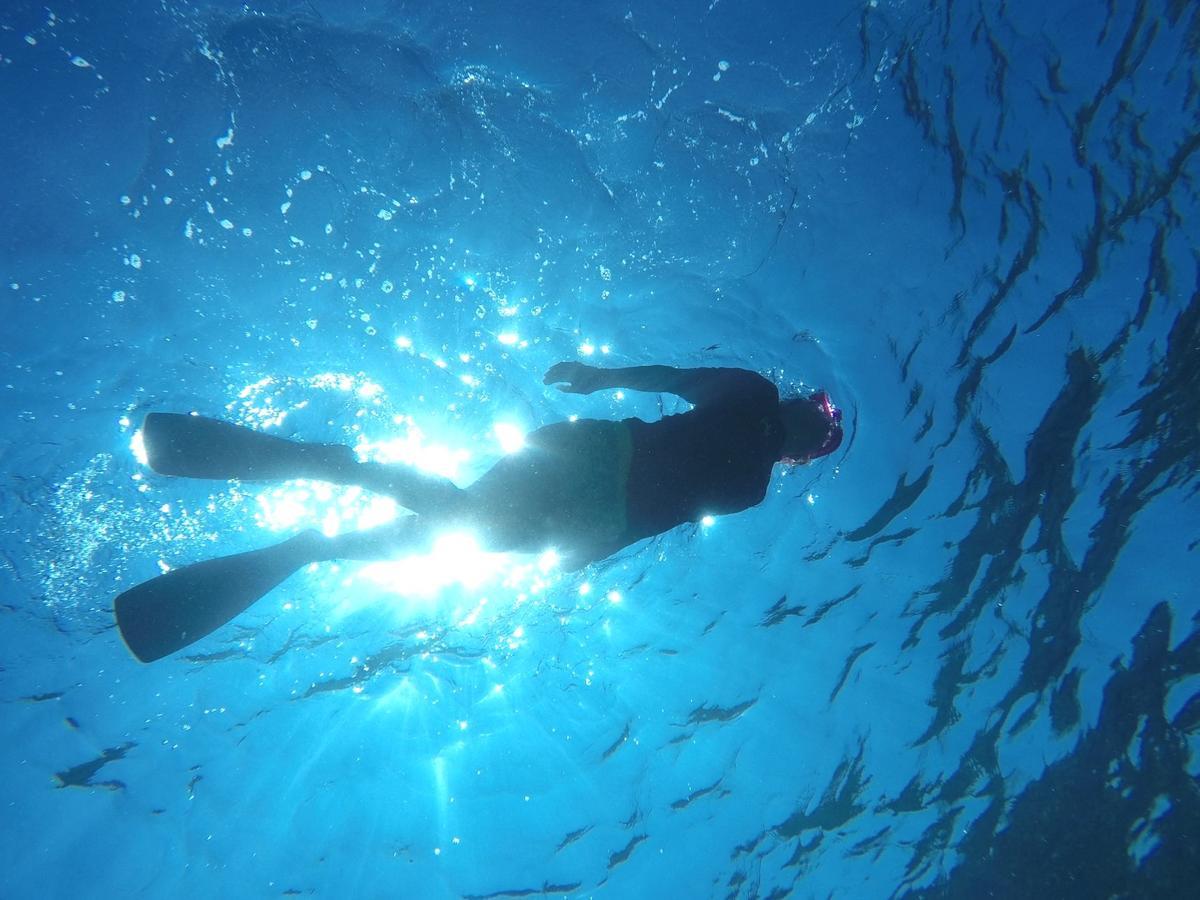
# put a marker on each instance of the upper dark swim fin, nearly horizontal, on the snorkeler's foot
(196, 447)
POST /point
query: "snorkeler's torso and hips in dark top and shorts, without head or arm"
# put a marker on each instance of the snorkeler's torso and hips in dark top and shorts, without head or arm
(591, 488)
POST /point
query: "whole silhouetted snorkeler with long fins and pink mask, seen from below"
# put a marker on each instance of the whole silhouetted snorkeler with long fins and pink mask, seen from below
(586, 488)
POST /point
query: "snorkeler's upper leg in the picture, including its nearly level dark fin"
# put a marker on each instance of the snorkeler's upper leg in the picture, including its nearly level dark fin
(197, 447)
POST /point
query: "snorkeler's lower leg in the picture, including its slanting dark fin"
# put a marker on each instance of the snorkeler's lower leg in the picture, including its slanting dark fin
(179, 608)
